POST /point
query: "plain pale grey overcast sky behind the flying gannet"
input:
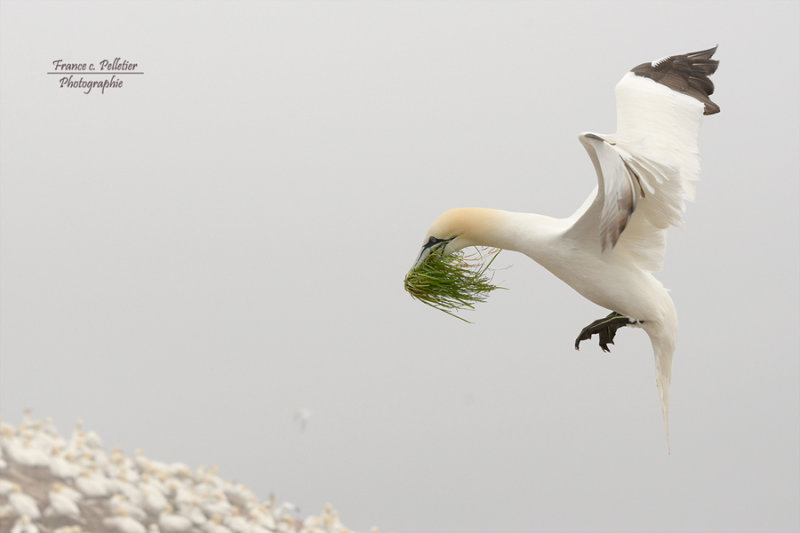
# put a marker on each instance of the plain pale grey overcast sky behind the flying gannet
(188, 259)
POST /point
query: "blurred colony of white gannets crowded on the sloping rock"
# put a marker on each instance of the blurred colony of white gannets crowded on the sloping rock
(50, 484)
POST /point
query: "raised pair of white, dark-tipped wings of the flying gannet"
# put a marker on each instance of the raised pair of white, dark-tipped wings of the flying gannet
(645, 171)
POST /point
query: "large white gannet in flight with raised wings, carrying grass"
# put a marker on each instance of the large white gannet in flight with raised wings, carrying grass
(609, 248)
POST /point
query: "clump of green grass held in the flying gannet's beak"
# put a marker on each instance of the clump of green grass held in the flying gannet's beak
(452, 282)
